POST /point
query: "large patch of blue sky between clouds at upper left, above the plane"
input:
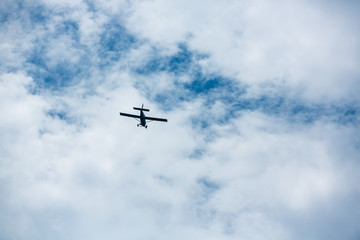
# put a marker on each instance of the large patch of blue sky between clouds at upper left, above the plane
(57, 73)
